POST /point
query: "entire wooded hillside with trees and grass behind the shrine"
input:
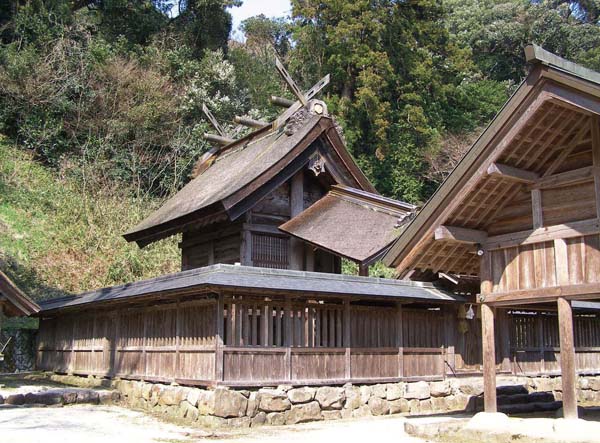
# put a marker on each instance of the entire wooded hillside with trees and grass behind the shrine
(100, 105)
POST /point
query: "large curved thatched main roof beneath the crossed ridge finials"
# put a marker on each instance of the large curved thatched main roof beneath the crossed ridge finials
(239, 174)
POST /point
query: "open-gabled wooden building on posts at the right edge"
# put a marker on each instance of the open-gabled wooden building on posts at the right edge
(521, 214)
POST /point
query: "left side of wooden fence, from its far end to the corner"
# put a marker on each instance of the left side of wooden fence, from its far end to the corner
(163, 343)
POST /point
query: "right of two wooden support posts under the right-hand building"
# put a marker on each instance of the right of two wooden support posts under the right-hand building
(567, 358)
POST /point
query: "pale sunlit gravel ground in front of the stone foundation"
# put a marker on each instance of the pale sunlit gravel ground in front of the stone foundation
(91, 424)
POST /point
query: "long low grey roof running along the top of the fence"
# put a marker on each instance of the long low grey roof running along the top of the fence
(244, 277)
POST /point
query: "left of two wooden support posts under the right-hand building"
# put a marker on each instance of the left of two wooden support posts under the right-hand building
(487, 336)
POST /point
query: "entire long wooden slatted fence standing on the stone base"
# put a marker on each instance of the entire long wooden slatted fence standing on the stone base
(244, 340)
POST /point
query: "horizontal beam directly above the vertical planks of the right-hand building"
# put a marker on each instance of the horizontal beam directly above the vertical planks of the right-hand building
(547, 233)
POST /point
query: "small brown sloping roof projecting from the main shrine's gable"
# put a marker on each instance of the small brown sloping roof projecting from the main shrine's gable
(349, 222)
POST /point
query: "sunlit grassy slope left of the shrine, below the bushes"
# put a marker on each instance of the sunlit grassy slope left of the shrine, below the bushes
(58, 236)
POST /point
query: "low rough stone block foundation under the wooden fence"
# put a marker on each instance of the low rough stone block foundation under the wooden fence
(281, 405)
